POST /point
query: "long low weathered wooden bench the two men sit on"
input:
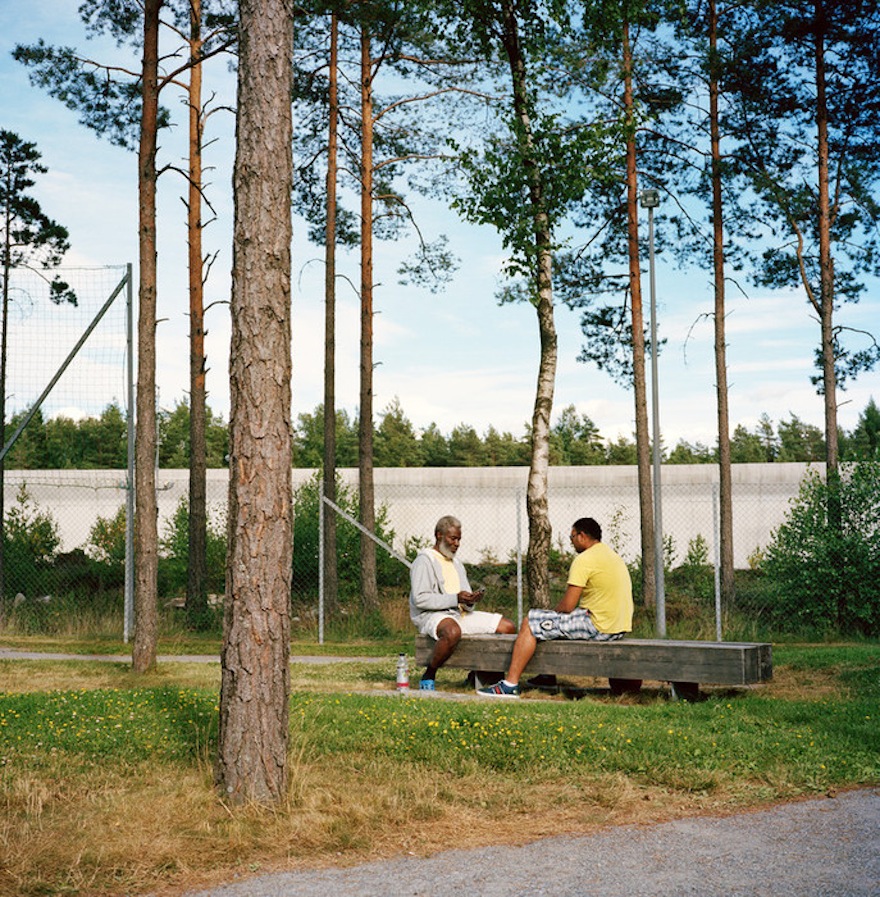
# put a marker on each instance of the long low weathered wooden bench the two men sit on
(625, 663)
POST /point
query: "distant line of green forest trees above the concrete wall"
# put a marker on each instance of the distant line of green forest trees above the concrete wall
(100, 442)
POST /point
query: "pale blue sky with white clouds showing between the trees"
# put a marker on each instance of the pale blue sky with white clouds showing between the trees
(451, 358)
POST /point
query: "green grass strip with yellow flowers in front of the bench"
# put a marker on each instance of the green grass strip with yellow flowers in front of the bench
(656, 744)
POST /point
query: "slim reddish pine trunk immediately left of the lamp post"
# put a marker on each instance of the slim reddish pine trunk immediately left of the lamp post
(643, 440)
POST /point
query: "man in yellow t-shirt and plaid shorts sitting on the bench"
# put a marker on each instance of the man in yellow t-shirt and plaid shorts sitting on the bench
(597, 605)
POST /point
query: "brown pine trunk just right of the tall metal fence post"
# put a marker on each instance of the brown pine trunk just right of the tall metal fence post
(146, 623)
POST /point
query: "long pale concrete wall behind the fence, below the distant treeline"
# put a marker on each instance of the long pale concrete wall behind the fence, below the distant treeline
(489, 501)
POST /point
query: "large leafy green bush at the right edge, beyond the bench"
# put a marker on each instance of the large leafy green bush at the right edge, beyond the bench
(822, 567)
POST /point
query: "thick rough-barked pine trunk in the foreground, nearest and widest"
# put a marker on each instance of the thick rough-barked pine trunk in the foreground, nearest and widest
(254, 736)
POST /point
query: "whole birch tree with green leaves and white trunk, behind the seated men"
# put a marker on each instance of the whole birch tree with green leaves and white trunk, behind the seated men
(523, 180)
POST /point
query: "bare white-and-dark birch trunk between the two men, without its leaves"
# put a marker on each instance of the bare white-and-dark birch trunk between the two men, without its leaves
(540, 530)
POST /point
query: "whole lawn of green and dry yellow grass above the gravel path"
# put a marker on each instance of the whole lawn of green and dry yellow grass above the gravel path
(106, 777)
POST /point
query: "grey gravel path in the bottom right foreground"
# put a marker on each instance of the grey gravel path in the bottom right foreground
(816, 848)
